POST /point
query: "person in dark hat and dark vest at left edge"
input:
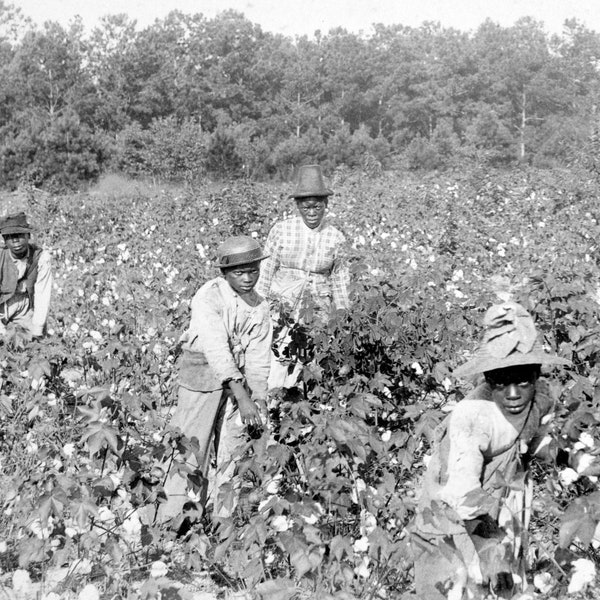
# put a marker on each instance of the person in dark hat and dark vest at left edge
(25, 278)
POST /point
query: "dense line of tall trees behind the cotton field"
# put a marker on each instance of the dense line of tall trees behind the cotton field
(190, 97)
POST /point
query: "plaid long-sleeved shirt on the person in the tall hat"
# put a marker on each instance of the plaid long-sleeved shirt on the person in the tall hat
(296, 250)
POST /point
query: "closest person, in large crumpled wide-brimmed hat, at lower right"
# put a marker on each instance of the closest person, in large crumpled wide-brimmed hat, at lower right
(474, 509)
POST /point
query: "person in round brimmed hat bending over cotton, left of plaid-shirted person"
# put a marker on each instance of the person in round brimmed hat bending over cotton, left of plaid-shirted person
(224, 369)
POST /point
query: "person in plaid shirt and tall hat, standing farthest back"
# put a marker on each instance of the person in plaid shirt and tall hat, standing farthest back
(305, 259)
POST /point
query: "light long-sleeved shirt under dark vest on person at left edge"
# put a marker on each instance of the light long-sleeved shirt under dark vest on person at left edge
(18, 308)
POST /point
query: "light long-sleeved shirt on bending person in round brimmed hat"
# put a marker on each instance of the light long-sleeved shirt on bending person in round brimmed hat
(226, 339)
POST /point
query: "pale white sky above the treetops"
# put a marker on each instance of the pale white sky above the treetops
(299, 17)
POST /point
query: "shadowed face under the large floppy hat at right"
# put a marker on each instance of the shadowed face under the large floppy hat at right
(513, 388)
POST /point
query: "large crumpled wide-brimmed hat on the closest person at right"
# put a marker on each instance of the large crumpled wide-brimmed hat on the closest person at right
(510, 340)
